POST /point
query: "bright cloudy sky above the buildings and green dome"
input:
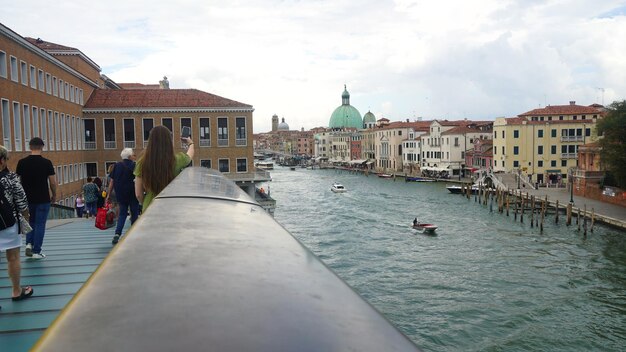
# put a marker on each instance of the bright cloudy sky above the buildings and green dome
(402, 59)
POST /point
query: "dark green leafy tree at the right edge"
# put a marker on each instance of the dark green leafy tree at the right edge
(612, 128)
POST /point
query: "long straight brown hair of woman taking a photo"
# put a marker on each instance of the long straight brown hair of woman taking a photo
(157, 161)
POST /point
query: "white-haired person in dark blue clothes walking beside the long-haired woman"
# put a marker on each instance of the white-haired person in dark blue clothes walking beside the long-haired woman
(123, 183)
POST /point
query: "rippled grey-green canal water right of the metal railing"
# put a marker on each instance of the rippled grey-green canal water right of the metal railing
(483, 283)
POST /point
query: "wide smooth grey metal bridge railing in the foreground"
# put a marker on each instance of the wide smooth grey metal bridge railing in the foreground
(205, 268)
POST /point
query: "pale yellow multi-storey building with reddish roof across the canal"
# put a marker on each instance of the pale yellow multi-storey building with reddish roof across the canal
(541, 145)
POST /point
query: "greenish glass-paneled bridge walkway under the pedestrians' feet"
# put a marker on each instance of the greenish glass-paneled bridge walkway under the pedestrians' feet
(74, 249)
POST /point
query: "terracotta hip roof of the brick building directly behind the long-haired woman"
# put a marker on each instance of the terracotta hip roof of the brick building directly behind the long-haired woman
(158, 98)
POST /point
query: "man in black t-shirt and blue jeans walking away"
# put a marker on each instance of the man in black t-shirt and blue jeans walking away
(39, 182)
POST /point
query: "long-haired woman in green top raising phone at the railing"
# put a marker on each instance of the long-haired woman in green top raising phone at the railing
(158, 165)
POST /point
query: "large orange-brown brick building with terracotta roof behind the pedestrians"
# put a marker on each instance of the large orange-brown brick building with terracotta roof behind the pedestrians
(85, 118)
